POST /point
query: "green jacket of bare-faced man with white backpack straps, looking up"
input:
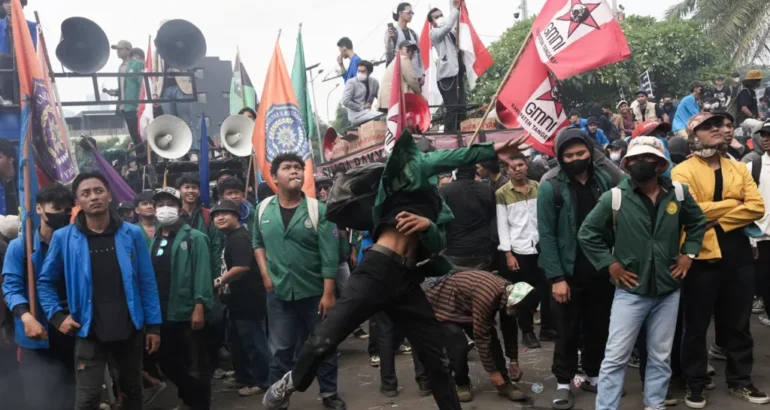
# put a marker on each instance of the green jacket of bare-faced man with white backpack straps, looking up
(298, 259)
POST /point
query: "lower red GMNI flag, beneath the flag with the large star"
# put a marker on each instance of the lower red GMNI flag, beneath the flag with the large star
(530, 98)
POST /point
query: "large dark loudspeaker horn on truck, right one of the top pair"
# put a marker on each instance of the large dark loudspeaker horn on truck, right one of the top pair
(181, 44)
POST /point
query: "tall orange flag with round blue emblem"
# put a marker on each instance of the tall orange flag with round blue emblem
(279, 128)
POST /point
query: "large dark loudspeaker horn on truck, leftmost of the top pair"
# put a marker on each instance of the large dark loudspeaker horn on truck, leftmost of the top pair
(84, 48)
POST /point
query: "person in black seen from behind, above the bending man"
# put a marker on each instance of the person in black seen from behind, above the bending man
(469, 235)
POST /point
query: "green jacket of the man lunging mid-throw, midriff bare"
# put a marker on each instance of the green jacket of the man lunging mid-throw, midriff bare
(409, 170)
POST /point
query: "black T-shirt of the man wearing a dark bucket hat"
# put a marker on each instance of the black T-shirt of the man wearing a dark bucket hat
(246, 300)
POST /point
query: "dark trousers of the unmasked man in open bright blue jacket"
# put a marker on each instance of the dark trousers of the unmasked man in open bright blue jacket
(91, 358)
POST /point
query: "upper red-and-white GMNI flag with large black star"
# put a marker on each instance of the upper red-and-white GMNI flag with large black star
(575, 36)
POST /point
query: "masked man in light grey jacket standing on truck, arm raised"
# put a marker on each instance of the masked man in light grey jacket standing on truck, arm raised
(451, 68)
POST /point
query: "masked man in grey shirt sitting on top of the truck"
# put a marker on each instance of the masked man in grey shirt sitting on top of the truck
(360, 92)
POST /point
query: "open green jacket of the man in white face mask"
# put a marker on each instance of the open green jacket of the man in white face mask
(191, 281)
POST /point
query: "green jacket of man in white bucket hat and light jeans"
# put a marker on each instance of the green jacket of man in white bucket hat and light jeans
(645, 250)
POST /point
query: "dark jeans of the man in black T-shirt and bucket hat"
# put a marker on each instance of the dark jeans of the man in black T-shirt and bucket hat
(248, 346)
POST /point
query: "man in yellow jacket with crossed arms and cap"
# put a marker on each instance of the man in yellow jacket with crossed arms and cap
(724, 268)
